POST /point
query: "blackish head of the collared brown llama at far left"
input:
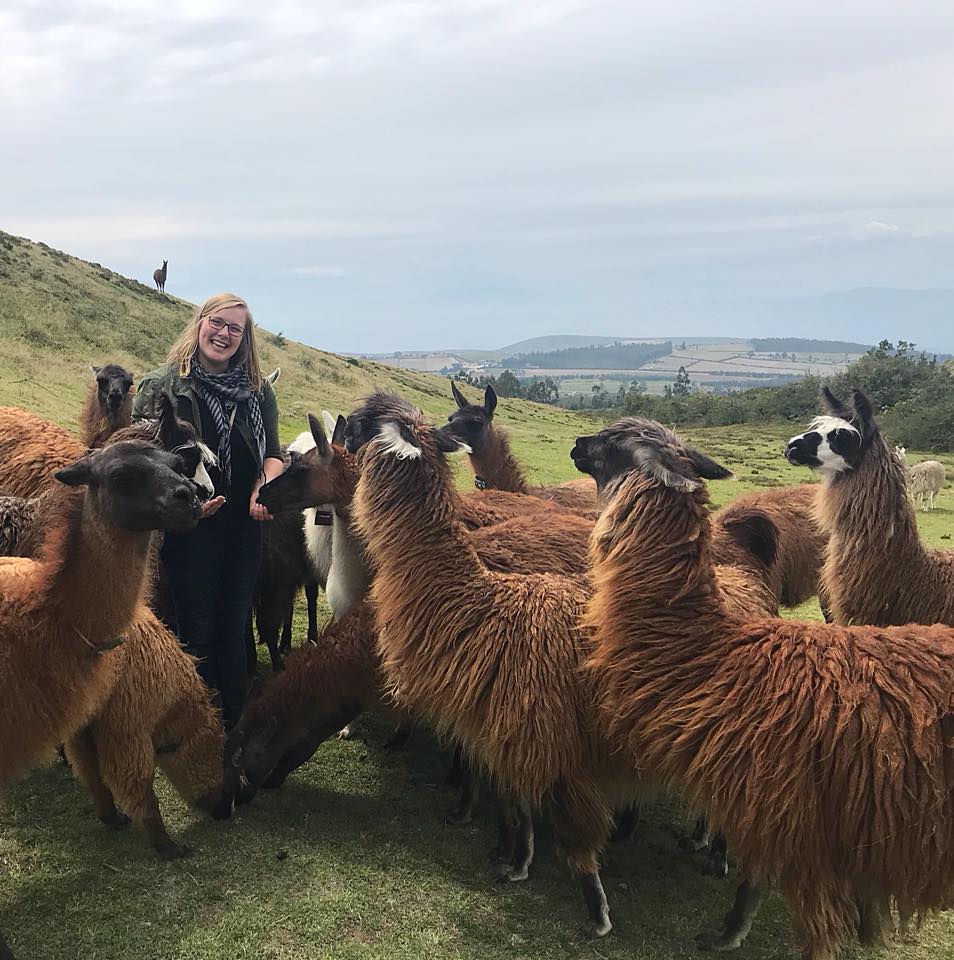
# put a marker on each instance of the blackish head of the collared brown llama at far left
(136, 486)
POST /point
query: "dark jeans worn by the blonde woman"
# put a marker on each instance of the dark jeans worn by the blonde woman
(212, 573)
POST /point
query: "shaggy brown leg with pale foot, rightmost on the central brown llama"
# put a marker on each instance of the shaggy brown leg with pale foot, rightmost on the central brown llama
(581, 823)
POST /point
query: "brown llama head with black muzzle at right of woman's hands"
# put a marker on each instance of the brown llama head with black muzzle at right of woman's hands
(322, 473)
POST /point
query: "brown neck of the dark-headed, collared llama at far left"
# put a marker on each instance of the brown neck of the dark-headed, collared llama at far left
(98, 574)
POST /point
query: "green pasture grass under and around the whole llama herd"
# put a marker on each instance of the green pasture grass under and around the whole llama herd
(352, 858)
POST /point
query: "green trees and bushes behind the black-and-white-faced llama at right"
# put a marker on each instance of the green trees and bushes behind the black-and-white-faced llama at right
(913, 392)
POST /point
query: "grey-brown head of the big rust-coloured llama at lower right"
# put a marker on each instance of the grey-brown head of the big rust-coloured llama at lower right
(646, 447)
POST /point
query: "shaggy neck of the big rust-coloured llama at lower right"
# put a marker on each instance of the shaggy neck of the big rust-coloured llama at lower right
(643, 565)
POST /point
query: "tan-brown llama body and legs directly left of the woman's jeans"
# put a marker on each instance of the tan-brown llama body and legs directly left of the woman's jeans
(158, 712)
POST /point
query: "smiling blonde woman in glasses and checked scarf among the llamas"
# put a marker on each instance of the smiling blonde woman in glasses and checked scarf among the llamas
(213, 378)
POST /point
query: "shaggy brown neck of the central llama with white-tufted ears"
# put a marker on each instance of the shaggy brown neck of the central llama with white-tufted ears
(406, 513)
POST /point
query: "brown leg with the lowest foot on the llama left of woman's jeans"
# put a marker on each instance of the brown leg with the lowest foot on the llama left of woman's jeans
(129, 768)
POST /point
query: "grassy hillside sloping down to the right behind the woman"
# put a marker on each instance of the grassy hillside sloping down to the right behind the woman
(58, 314)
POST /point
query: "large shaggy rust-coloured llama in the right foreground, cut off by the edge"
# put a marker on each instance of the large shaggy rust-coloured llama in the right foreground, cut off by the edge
(825, 753)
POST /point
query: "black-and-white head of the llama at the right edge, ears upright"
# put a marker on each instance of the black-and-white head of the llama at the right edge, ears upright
(835, 442)
